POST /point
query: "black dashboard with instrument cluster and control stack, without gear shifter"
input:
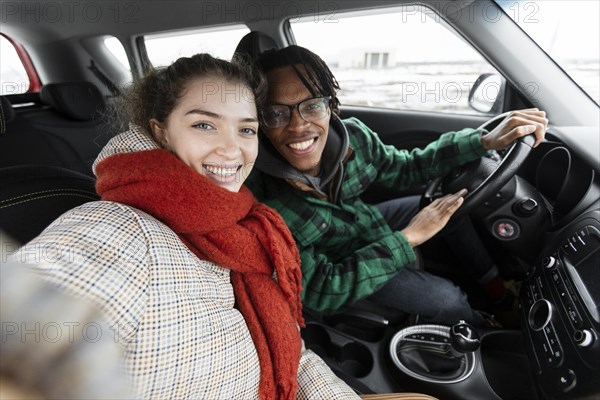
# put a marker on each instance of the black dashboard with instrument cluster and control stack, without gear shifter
(549, 216)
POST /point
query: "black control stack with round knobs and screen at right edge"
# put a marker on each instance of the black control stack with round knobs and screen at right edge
(561, 301)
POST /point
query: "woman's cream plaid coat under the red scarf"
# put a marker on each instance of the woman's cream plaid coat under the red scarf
(172, 312)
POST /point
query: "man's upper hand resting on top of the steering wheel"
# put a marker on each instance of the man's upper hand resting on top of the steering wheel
(517, 124)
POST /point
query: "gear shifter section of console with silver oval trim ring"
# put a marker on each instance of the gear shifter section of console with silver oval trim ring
(492, 366)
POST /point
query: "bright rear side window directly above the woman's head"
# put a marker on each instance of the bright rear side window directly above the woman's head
(163, 49)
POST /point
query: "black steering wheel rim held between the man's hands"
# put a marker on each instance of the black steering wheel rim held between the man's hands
(506, 169)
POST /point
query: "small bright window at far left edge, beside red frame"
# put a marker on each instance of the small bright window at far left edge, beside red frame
(13, 76)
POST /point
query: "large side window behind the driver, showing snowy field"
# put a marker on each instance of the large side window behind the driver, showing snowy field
(404, 58)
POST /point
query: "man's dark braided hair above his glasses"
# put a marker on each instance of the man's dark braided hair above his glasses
(319, 79)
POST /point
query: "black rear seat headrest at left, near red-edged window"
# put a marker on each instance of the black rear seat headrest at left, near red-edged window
(76, 100)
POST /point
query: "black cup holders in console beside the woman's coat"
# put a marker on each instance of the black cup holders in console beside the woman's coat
(352, 357)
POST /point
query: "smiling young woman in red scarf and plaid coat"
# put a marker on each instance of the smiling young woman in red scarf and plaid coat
(200, 282)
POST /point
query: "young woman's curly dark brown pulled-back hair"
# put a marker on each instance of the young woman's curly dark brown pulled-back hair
(157, 93)
